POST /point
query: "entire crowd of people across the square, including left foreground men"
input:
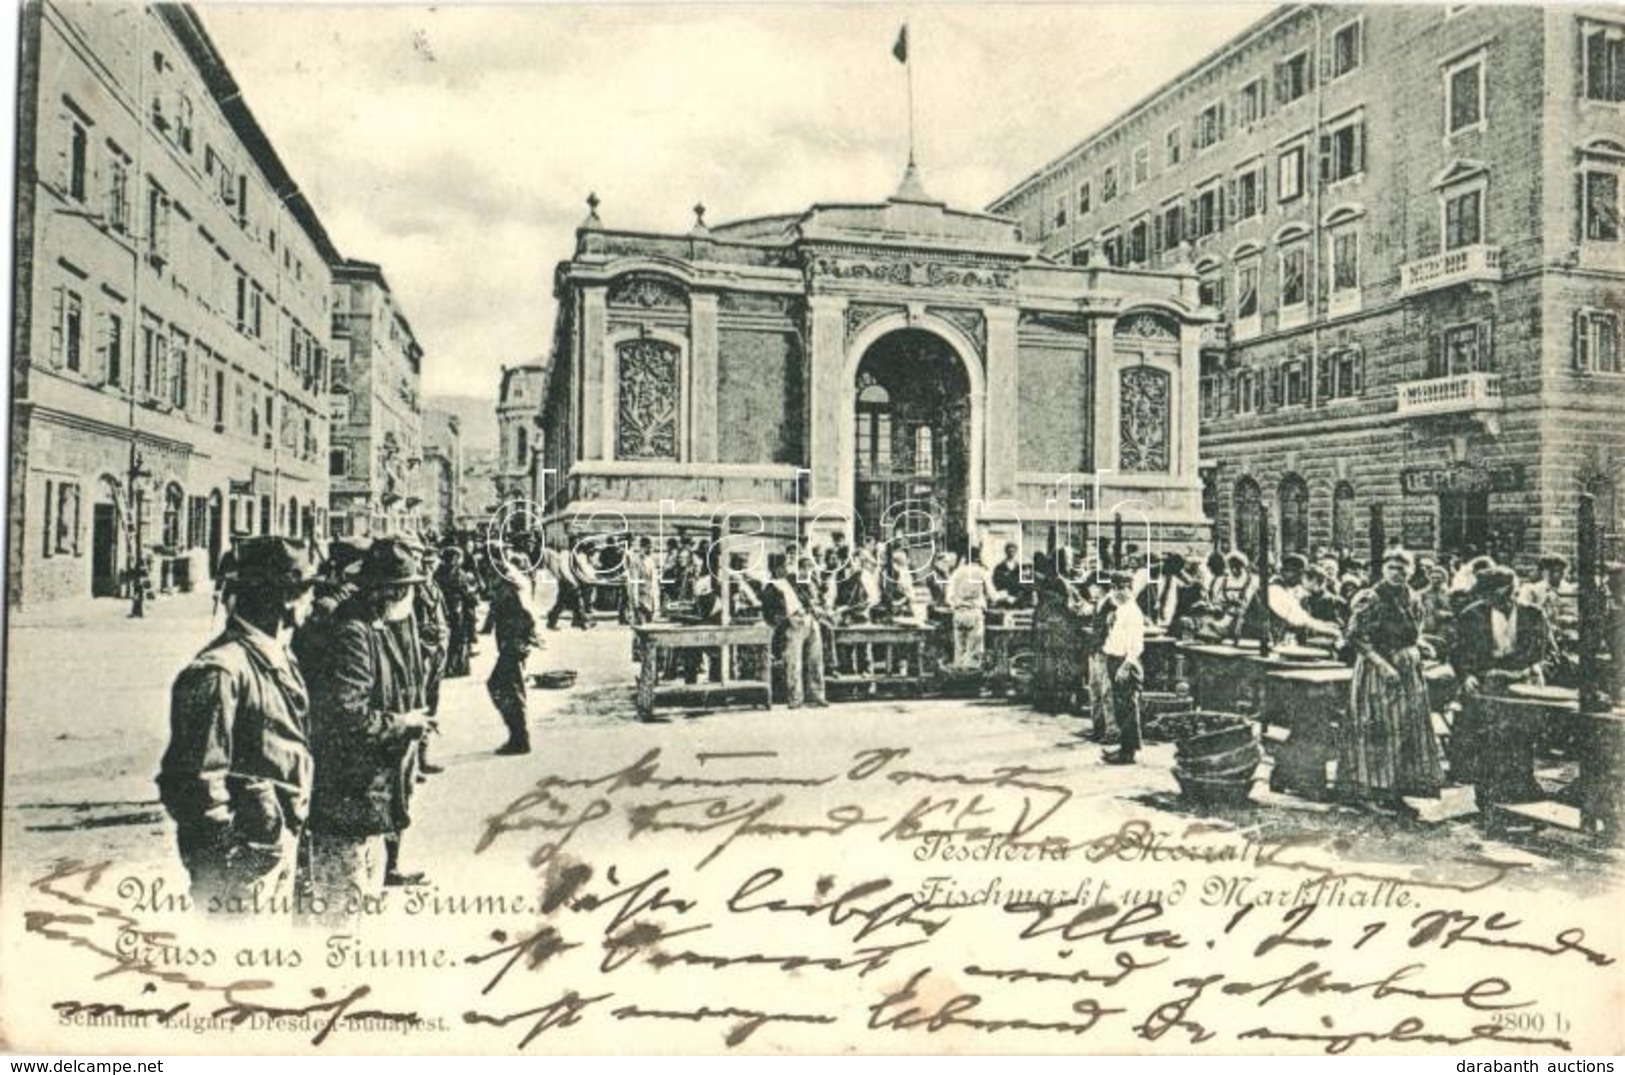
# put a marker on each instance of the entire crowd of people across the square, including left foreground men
(300, 733)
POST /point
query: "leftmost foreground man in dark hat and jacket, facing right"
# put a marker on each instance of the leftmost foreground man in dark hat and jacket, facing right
(236, 775)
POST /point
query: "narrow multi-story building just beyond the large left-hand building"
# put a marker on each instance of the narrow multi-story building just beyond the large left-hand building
(376, 410)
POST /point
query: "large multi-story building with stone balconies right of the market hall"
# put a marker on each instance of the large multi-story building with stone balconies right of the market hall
(1410, 222)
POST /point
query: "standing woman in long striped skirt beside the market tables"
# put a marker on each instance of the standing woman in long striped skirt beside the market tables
(1387, 749)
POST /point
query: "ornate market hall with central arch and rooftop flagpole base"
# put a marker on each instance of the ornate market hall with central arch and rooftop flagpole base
(898, 371)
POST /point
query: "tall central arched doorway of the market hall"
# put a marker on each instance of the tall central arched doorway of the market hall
(912, 444)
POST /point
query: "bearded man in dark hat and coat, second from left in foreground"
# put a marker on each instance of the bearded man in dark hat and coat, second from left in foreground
(366, 723)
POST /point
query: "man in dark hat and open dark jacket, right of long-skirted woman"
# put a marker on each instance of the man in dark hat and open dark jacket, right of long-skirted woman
(1499, 642)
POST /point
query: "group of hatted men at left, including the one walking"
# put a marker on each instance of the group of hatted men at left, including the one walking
(303, 728)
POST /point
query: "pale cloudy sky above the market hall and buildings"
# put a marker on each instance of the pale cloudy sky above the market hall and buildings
(456, 145)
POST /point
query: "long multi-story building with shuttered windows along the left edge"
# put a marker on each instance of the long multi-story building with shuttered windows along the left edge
(171, 311)
